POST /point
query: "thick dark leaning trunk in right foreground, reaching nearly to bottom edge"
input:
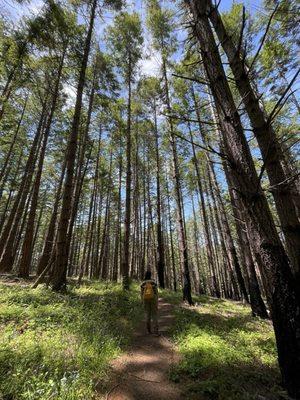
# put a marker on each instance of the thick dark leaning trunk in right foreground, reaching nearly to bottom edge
(278, 280)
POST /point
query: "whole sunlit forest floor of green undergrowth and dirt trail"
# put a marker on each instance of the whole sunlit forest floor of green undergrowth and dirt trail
(90, 344)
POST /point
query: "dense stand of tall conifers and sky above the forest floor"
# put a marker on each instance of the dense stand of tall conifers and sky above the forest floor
(155, 135)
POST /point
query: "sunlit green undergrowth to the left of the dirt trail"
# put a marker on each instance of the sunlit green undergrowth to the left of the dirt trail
(57, 346)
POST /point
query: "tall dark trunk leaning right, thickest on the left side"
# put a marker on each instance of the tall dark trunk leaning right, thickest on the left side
(58, 279)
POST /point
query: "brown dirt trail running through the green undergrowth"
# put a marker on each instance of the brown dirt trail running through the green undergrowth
(143, 372)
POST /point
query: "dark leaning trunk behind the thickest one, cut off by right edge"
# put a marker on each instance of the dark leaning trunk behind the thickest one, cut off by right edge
(270, 149)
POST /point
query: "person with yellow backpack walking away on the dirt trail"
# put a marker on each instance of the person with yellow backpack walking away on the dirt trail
(149, 296)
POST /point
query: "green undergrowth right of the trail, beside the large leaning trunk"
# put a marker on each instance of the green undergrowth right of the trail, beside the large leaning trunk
(226, 353)
